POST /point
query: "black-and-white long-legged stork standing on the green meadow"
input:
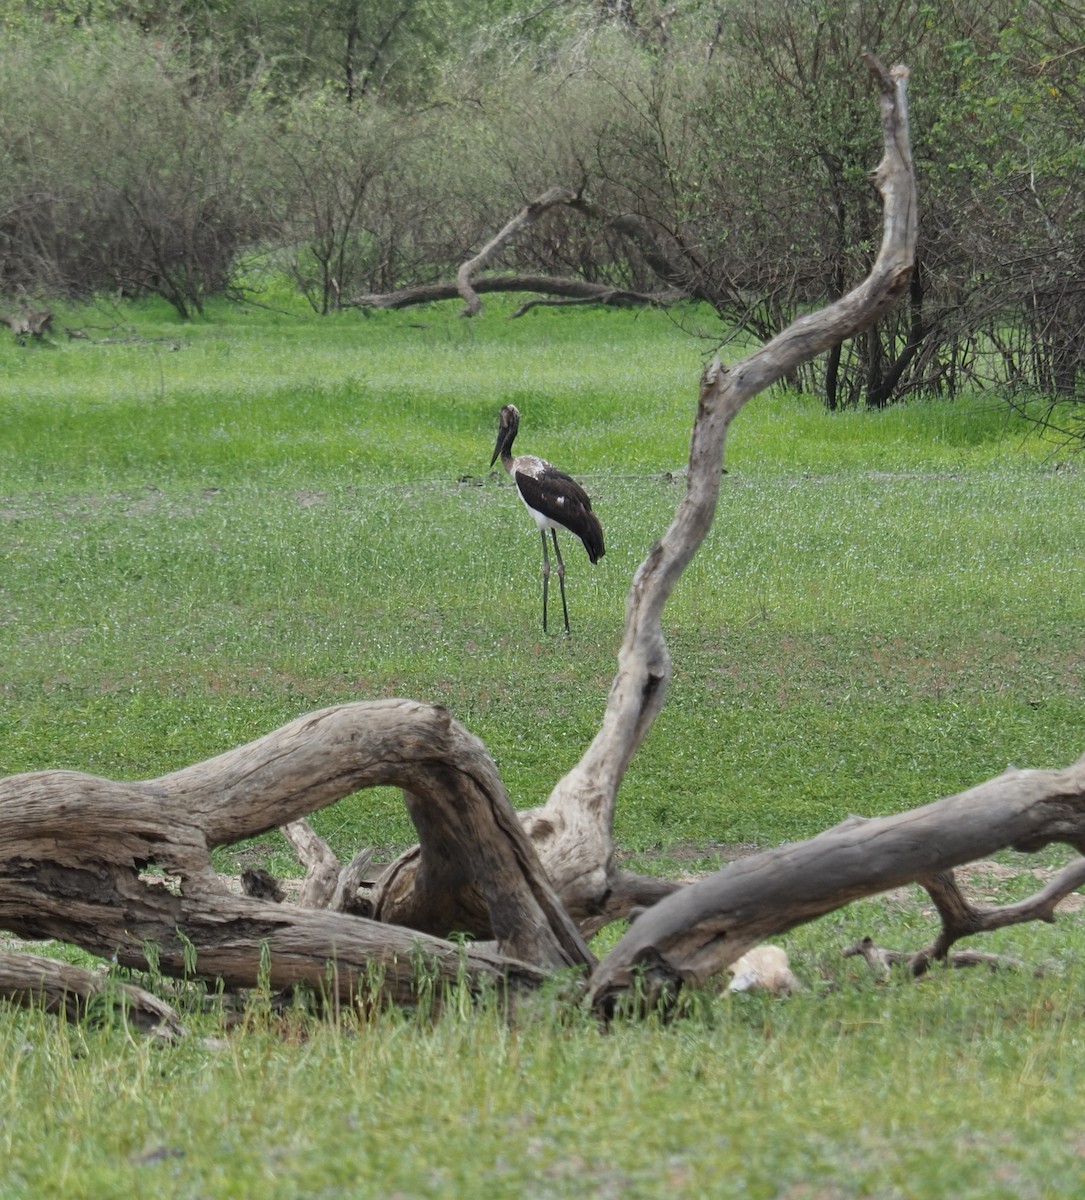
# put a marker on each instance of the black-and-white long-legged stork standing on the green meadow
(554, 500)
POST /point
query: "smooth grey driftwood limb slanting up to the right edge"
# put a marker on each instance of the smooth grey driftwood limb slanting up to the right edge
(699, 932)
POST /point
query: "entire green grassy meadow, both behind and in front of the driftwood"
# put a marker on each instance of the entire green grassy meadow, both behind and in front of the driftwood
(211, 529)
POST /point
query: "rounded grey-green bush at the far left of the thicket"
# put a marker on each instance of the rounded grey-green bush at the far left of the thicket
(121, 172)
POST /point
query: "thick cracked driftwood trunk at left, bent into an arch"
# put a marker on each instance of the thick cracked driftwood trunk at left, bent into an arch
(75, 848)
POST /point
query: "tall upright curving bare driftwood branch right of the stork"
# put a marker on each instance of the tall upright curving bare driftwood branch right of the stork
(573, 831)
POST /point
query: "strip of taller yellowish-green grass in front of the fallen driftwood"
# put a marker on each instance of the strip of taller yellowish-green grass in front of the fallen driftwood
(966, 1085)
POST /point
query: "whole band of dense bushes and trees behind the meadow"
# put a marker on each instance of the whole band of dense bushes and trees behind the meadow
(368, 147)
